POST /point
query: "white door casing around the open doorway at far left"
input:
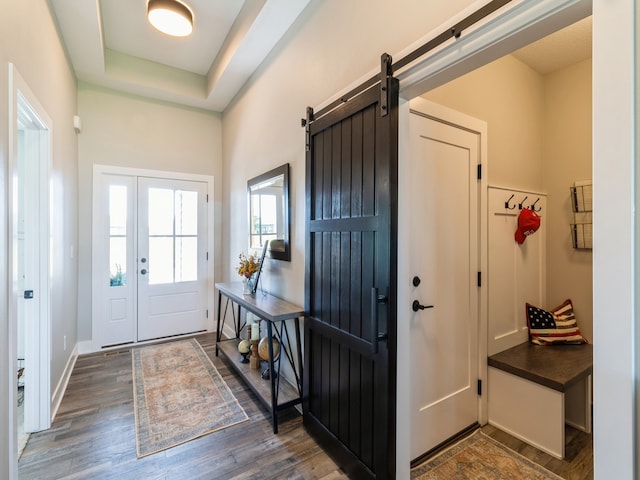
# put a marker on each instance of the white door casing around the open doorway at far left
(38, 347)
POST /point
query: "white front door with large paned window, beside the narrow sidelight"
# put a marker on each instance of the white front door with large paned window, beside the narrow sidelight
(171, 257)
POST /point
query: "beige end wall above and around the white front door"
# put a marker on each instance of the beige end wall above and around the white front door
(129, 131)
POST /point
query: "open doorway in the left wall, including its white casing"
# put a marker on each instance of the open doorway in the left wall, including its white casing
(30, 304)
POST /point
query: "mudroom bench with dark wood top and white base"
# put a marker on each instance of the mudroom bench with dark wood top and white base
(534, 390)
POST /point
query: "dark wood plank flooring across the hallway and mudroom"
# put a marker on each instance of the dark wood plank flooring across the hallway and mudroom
(93, 437)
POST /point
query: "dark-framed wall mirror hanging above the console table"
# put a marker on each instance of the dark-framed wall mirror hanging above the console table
(269, 213)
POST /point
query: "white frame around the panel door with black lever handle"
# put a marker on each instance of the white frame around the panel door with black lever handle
(446, 115)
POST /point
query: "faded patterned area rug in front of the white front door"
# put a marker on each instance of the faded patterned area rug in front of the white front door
(178, 396)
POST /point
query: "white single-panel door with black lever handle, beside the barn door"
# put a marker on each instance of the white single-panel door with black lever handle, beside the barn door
(444, 194)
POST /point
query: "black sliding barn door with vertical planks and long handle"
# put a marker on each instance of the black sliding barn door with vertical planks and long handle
(350, 292)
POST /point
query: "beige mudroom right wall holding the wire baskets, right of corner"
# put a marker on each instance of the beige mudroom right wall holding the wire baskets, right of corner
(567, 158)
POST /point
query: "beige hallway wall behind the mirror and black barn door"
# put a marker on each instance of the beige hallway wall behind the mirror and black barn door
(311, 65)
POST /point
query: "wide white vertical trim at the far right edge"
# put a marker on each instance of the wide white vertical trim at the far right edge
(615, 246)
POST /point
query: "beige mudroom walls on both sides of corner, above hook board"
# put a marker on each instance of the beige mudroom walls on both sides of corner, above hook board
(539, 139)
